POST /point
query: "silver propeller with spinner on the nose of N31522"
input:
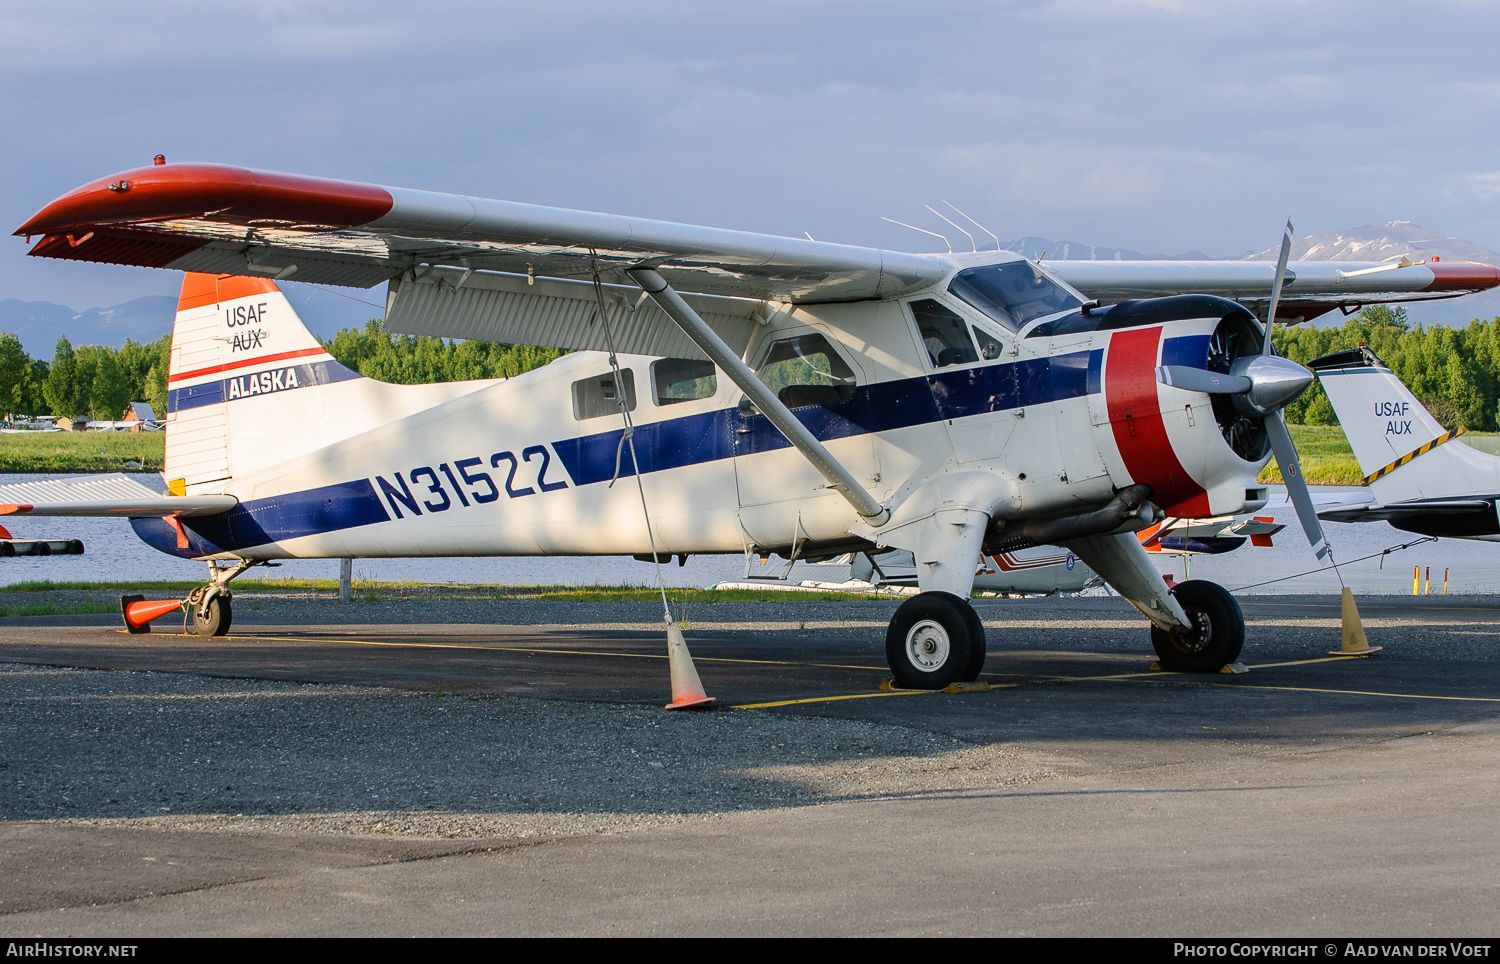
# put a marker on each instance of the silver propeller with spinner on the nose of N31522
(1265, 385)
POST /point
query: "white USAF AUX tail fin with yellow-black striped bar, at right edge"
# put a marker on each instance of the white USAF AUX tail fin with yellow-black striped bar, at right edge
(1385, 424)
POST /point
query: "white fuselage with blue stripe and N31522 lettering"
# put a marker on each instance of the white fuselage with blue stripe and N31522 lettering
(524, 466)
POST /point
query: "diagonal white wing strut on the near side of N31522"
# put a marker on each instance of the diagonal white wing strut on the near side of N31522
(772, 407)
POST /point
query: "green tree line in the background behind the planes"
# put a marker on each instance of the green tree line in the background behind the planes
(1454, 371)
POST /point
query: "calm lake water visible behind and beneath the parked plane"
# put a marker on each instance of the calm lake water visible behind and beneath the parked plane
(115, 554)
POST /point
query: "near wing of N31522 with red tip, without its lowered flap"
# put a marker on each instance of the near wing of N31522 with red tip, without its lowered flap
(232, 221)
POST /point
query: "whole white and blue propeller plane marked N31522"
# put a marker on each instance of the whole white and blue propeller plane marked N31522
(778, 395)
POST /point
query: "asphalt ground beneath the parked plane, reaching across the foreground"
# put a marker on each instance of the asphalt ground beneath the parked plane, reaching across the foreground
(1084, 794)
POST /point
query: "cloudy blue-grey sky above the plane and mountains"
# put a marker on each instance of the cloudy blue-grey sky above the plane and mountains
(1162, 127)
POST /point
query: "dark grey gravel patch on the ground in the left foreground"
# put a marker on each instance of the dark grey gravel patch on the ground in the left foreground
(188, 752)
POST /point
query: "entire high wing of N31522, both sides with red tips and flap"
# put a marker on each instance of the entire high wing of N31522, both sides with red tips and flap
(469, 268)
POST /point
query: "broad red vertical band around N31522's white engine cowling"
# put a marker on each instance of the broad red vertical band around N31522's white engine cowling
(1130, 388)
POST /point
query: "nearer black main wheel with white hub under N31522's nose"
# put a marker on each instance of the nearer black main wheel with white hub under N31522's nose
(935, 639)
